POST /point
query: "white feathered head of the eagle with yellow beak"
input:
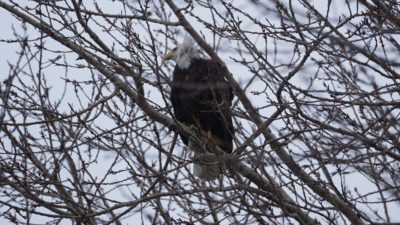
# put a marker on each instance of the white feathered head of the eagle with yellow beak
(184, 53)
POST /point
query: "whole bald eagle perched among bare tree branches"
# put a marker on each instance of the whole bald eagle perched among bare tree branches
(201, 97)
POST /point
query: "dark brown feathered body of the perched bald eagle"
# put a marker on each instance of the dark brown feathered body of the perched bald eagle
(201, 96)
